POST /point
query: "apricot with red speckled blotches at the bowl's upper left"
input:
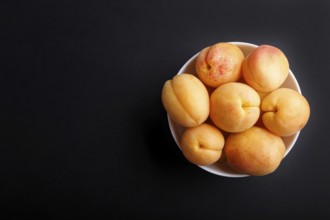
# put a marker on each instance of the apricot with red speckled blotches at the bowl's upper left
(219, 64)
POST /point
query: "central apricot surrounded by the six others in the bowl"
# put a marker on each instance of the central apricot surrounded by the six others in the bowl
(234, 107)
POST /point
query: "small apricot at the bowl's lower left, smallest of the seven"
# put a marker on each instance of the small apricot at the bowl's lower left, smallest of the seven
(202, 145)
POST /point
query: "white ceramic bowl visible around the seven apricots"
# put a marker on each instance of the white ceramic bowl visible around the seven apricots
(222, 168)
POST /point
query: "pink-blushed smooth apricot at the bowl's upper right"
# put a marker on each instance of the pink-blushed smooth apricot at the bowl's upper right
(265, 68)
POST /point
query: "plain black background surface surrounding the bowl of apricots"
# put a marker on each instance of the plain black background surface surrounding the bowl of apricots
(83, 130)
